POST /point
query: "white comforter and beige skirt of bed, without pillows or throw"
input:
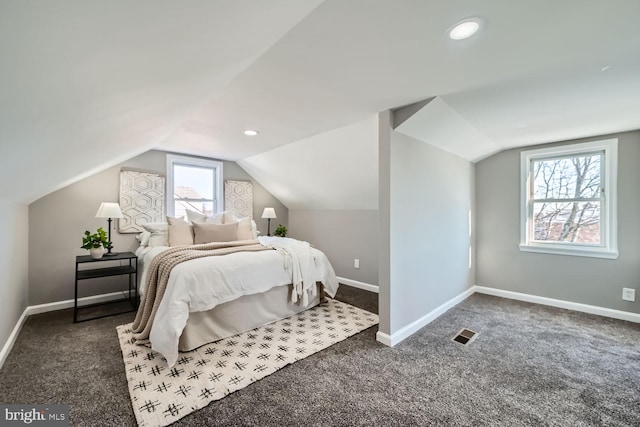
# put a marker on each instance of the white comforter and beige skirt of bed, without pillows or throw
(214, 297)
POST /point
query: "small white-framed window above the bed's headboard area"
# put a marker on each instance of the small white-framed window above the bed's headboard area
(193, 184)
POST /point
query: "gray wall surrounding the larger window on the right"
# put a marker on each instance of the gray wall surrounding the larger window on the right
(593, 281)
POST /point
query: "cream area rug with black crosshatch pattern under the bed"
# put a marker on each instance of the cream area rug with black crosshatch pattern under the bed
(160, 395)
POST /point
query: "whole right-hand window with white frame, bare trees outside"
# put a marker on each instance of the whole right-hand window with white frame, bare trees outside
(569, 199)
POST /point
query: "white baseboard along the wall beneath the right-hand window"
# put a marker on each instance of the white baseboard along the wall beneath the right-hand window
(585, 308)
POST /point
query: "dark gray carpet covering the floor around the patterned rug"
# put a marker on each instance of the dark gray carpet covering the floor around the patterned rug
(530, 365)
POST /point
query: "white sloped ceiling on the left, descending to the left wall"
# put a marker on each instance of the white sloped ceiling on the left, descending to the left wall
(88, 84)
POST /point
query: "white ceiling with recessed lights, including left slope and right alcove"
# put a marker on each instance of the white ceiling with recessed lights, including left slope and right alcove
(85, 85)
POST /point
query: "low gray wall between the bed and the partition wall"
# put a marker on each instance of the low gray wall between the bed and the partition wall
(343, 236)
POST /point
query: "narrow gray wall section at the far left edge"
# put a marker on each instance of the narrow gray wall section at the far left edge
(14, 270)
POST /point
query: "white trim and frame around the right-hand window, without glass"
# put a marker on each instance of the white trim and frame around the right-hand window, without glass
(609, 230)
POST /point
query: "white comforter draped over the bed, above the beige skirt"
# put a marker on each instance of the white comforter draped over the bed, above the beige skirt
(203, 283)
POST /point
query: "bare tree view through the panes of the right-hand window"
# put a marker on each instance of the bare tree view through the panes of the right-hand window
(567, 199)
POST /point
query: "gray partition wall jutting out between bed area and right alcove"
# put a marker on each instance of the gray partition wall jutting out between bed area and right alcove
(426, 227)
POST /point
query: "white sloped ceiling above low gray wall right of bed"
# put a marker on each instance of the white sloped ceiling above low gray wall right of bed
(333, 170)
